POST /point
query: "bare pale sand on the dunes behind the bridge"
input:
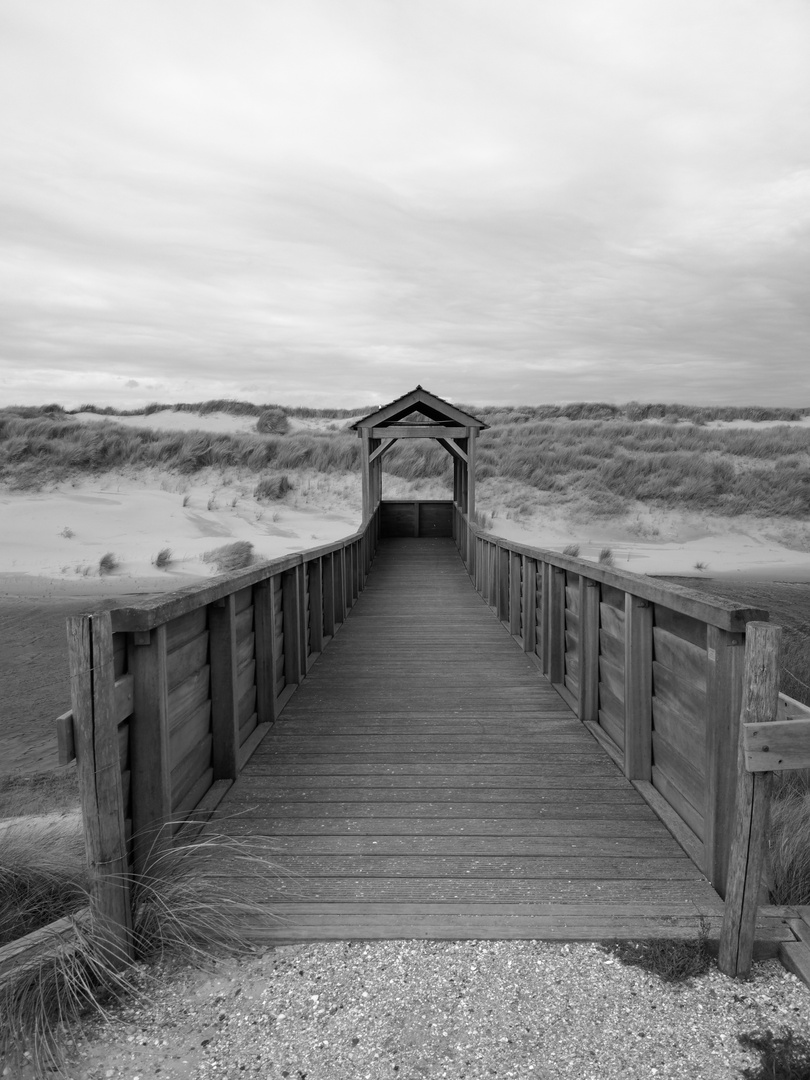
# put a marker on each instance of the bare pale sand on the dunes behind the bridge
(56, 539)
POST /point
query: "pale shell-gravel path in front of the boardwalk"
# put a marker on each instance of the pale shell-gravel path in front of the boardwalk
(413, 1009)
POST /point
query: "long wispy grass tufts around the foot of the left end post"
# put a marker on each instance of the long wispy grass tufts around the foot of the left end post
(185, 909)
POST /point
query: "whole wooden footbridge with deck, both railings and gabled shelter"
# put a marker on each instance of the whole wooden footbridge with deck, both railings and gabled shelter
(443, 734)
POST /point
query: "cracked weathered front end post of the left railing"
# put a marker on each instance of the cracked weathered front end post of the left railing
(96, 733)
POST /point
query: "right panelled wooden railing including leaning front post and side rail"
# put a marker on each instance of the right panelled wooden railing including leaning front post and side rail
(668, 683)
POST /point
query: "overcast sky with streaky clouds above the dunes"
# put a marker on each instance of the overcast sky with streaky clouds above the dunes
(329, 201)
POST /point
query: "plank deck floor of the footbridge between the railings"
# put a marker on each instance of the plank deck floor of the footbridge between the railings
(426, 781)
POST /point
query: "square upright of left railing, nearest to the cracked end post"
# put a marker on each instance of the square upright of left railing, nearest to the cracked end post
(151, 785)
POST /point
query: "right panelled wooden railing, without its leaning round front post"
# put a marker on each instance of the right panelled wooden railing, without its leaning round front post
(654, 670)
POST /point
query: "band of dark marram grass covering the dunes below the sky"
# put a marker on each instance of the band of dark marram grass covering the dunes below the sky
(607, 457)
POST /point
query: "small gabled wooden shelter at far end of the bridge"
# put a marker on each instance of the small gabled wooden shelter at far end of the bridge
(420, 415)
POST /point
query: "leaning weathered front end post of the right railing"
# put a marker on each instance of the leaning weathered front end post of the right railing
(760, 704)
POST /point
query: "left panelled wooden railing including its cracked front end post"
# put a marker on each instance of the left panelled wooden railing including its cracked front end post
(171, 697)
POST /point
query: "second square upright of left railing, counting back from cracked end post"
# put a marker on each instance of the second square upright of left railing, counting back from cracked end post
(224, 691)
